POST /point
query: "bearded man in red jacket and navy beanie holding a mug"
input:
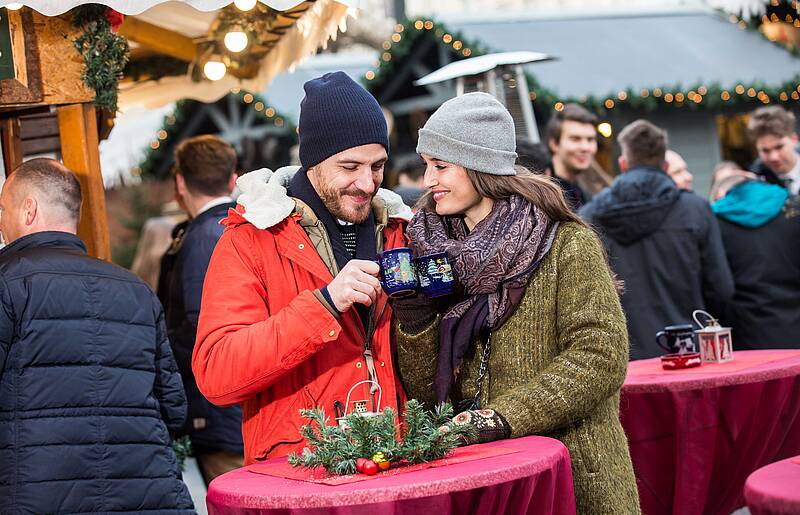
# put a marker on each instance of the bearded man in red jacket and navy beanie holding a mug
(293, 313)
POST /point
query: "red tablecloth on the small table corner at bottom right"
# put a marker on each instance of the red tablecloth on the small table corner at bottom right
(774, 489)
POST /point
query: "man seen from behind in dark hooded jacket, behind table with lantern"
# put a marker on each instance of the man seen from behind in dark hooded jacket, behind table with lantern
(664, 243)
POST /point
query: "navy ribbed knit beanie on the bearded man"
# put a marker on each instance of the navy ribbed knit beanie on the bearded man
(337, 114)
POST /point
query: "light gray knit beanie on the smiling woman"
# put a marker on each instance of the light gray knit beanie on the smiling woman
(474, 131)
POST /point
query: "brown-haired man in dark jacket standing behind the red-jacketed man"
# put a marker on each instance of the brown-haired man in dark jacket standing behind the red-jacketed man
(204, 179)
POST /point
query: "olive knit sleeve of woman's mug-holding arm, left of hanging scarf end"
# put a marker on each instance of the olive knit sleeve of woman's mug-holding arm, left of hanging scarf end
(416, 355)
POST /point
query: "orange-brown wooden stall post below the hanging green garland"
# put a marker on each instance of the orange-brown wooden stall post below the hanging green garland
(79, 151)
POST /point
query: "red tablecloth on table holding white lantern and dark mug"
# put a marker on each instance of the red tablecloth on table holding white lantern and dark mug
(696, 434)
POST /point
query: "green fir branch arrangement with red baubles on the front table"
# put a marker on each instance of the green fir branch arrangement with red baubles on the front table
(427, 436)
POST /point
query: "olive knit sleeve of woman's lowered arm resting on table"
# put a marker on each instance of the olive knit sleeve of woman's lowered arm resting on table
(593, 339)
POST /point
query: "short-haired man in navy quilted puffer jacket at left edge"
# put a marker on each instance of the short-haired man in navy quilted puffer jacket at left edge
(89, 390)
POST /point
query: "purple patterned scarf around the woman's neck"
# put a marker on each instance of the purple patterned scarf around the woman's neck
(492, 264)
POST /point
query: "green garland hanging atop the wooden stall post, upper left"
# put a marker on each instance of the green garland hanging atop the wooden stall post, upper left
(104, 54)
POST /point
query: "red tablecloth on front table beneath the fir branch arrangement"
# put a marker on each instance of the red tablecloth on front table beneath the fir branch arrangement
(536, 480)
